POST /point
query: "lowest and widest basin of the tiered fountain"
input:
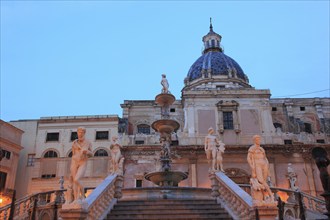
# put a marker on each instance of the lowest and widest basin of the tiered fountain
(166, 178)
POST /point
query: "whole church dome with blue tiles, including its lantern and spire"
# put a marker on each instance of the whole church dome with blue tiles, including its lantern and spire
(214, 67)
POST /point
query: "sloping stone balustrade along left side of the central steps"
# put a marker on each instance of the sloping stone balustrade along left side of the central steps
(99, 202)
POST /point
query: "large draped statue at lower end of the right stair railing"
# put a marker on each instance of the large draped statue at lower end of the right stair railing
(260, 191)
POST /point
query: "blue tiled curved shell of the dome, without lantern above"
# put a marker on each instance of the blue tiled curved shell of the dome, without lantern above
(218, 64)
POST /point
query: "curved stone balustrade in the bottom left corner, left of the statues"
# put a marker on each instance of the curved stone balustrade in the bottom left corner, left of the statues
(31, 205)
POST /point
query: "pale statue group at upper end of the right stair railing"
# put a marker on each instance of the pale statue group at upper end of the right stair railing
(214, 150)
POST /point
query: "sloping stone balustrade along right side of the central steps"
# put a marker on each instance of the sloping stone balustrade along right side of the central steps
(235, 200)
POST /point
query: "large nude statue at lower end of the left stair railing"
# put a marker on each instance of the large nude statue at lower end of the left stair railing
(81, 151)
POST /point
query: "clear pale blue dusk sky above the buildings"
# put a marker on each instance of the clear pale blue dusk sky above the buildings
(65, 58)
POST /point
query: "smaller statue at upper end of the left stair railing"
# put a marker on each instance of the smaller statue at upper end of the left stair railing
(116, 158)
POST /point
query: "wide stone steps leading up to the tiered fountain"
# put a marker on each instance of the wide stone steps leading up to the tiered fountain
(168, 209)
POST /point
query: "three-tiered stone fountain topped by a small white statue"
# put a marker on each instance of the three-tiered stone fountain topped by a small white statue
(165, 127)
